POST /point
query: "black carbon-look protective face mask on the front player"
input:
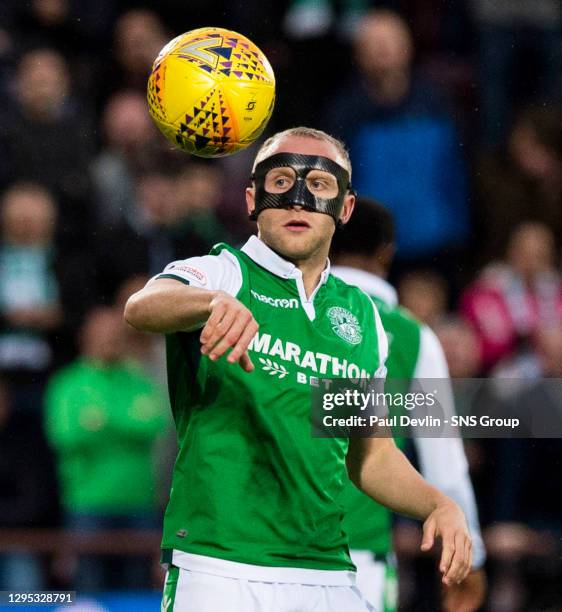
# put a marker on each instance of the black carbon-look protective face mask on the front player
(299, 194)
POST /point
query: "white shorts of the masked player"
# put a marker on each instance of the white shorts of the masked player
(200, 592)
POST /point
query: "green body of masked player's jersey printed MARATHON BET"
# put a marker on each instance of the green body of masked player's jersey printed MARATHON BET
(250, 483)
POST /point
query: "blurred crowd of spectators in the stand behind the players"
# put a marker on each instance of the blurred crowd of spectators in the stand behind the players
(451, 111)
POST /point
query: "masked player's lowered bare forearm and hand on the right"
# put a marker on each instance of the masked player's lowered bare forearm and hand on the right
(382, 471)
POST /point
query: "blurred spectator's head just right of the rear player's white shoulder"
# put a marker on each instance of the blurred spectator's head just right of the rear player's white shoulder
(424, 293)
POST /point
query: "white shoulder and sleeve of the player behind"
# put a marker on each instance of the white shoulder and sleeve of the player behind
(442, 460)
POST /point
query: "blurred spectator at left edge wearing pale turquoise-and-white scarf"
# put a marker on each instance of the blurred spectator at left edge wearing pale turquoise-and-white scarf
(43, 292)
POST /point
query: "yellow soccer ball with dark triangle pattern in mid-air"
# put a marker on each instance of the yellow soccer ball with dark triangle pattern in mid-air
(211, 92)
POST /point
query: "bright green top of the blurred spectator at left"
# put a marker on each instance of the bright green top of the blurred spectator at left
(102, 421)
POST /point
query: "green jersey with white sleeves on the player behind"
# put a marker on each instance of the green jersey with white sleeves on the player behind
(414, 354)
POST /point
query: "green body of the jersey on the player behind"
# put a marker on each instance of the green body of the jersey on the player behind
(368, 524)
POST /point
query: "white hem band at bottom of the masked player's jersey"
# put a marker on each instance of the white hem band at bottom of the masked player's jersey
(245, 571)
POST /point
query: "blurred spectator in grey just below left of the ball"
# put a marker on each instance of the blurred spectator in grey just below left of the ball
(130, 150)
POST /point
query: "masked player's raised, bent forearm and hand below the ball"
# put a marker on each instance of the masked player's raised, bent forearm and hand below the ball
(167, 305)
